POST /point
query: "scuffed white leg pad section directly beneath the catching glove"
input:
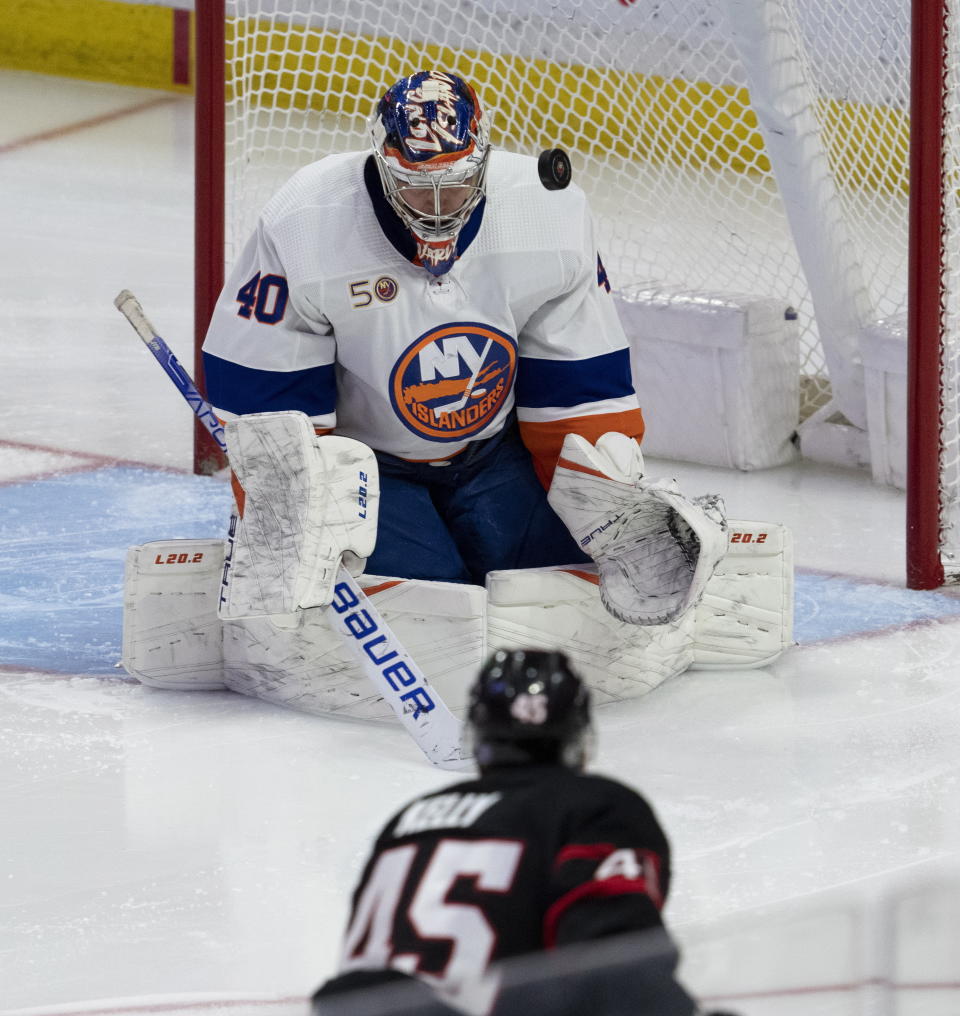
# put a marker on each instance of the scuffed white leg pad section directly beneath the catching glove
(561, 609)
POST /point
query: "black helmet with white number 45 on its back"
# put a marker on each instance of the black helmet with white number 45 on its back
(530, 707)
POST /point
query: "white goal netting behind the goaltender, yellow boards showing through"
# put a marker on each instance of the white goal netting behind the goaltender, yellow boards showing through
(653, 99)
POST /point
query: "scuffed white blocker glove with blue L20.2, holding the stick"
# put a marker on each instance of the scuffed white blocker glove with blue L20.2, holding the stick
(309, 504)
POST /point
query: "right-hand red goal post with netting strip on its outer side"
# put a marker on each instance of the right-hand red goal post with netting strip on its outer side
(933, 513)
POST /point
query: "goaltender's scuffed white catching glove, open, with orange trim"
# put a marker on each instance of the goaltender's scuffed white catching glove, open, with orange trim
(655, 549)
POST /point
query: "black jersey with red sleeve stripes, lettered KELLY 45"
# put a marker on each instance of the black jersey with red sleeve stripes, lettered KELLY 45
(524, 859)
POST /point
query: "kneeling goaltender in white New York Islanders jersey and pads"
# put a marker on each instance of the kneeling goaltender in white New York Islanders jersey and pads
(428, 407)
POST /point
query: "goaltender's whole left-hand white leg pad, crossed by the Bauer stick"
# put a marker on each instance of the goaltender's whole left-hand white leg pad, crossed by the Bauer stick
(173, 638)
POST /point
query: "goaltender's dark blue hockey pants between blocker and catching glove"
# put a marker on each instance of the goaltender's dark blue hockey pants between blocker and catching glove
(483, 511)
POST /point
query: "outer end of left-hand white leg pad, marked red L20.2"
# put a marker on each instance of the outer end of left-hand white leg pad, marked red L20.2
(171, 630)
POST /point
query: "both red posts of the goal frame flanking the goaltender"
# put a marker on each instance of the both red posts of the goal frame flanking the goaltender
(926, 296)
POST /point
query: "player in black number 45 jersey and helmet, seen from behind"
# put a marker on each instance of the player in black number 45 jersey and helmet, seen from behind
(535, 859)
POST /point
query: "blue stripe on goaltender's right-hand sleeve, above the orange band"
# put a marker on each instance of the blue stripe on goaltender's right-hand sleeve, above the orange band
(543, 384)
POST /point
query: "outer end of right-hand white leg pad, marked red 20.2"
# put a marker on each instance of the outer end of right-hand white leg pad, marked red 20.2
(746, 616)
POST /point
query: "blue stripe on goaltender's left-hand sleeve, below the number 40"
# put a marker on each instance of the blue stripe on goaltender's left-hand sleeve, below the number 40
(241, 390)
